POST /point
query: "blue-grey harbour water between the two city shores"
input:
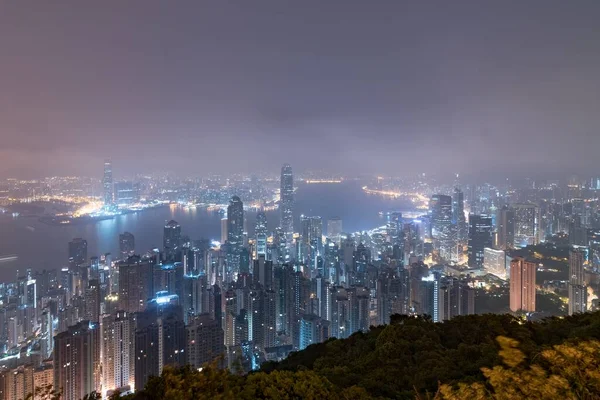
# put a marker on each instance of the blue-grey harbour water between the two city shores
(40, 246)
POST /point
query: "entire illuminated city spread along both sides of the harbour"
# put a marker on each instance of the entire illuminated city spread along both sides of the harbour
(271, 287)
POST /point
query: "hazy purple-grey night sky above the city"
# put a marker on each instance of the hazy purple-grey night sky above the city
(397, 87)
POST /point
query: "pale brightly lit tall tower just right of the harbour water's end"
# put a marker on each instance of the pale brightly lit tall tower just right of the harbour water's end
(440, 207)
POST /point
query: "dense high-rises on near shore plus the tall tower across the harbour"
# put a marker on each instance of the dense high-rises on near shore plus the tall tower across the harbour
(108, 324)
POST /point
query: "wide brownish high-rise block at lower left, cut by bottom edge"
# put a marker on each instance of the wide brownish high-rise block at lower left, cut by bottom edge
(77, 360)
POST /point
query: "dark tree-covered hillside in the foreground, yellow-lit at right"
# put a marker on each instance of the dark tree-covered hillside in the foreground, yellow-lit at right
(467, 357)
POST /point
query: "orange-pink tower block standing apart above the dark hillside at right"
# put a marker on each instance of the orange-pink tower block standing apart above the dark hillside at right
(522, 285)
